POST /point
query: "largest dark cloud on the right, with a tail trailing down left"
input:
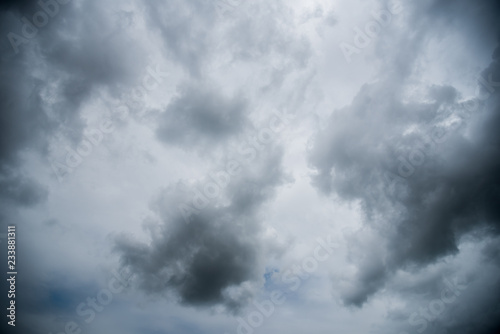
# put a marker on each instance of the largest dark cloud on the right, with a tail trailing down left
(426, 173)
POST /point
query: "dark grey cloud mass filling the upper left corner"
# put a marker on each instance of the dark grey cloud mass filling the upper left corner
(45, 84)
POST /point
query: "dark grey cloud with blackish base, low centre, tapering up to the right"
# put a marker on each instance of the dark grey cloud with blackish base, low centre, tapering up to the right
(213, 259)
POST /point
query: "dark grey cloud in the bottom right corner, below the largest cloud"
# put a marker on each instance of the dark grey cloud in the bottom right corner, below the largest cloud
(438, 300)
